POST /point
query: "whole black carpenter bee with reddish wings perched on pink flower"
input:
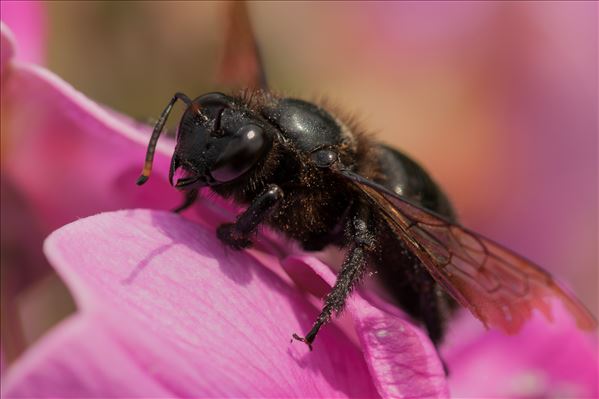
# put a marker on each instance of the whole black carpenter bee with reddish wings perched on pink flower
(308, 172)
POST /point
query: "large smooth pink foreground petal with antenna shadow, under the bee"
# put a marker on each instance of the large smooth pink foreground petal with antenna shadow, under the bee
(165, 306)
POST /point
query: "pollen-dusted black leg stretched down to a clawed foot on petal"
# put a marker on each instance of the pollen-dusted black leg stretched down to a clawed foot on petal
(361, 247)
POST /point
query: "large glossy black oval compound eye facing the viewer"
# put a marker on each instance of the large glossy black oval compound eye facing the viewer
(239, 154)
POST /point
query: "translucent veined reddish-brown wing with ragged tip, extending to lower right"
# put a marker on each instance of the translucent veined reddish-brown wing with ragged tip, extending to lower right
(498, 286)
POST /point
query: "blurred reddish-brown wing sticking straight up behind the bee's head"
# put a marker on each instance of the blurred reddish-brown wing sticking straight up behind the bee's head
(241, 64)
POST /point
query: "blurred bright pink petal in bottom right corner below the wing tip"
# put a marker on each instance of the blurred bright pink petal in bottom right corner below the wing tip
(544, 360)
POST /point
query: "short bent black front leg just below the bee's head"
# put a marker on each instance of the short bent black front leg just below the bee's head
(236, 235)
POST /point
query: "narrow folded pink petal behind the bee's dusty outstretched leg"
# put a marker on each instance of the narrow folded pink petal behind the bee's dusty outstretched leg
(401, 358)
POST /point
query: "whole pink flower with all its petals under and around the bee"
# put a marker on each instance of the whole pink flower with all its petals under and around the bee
(165, 310)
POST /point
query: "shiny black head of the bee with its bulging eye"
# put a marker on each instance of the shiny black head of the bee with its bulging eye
(218, 141)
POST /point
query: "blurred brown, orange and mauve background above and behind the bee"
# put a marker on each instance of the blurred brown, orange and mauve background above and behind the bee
(497, 100)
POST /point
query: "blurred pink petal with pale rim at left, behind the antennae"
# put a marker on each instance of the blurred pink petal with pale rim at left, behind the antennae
(70, 156)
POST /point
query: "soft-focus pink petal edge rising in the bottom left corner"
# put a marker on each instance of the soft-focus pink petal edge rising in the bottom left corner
(49, 373)
